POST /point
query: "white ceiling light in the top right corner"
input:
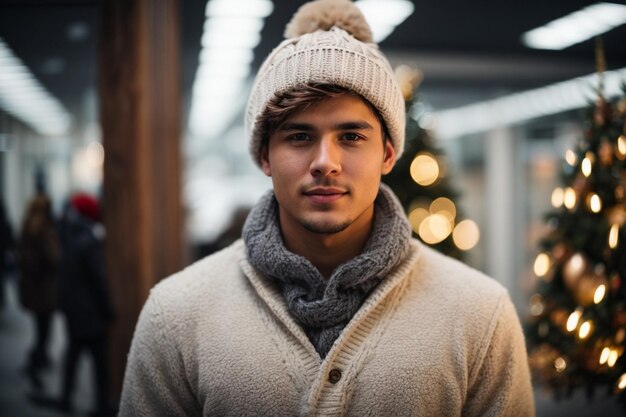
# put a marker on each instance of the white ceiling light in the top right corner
(576, 27)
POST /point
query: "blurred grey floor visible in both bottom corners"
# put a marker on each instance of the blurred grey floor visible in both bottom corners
(16, 336)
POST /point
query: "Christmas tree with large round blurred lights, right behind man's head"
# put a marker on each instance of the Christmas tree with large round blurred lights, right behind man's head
(419, 180)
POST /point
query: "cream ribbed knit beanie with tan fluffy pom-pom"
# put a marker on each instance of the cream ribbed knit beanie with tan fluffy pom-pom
(328, 41)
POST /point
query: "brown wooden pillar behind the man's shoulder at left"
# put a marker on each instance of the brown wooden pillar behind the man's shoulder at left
(140, 118)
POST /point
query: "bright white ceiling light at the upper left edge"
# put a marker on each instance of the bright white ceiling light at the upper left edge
(23, 96)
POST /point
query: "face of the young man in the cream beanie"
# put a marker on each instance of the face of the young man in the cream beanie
(326, 162)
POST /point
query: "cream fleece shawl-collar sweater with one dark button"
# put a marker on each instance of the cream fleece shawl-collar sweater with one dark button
(436, 338)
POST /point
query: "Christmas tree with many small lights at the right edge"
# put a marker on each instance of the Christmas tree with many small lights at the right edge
(577, 329)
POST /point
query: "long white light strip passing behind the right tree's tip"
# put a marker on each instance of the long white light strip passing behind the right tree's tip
(519, 107)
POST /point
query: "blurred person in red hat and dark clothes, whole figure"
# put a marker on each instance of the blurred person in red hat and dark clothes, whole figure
(84, 298)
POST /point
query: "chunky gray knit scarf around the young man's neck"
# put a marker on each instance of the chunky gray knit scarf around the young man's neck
(324, 308)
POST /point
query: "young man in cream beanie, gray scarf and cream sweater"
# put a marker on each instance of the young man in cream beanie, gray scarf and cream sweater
(327, 306)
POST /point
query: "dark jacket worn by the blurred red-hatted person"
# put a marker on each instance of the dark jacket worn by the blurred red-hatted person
(84, 295)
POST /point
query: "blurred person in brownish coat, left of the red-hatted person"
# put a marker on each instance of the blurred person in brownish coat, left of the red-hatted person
(38, 259)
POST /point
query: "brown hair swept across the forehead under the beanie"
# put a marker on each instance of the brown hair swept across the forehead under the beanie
(284, 105)
